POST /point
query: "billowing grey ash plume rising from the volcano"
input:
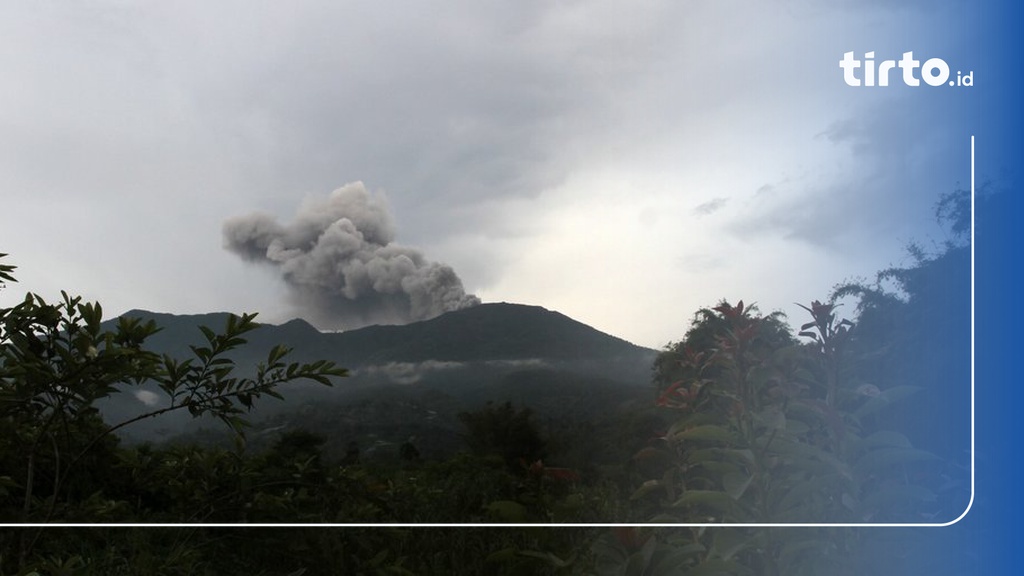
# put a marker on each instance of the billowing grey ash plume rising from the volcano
(339, 259)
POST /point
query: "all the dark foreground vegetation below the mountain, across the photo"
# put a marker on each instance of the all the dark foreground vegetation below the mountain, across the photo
(748, 424)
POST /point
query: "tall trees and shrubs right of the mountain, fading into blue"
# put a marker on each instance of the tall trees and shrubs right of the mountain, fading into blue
(770, 431)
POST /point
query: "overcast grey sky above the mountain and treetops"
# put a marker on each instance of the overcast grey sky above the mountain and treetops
(624, 163)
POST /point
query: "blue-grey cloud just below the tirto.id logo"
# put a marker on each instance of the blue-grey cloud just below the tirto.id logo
(900, 160)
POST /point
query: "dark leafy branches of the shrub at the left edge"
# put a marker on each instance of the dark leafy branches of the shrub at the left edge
(58, 361)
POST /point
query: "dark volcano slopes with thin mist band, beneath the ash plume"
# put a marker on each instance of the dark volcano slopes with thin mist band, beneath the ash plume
(419, 377)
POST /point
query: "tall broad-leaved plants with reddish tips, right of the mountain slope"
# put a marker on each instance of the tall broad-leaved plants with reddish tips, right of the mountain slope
(776, 433)
